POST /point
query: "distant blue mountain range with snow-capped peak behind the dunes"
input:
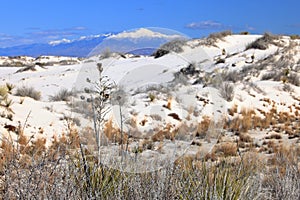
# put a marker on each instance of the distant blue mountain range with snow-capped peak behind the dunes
(134, 41)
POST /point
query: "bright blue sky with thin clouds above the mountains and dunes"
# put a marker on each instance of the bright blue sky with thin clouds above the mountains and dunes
(31, 21)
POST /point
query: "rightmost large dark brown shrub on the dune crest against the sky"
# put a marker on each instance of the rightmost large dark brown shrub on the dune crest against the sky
(263, 42)
